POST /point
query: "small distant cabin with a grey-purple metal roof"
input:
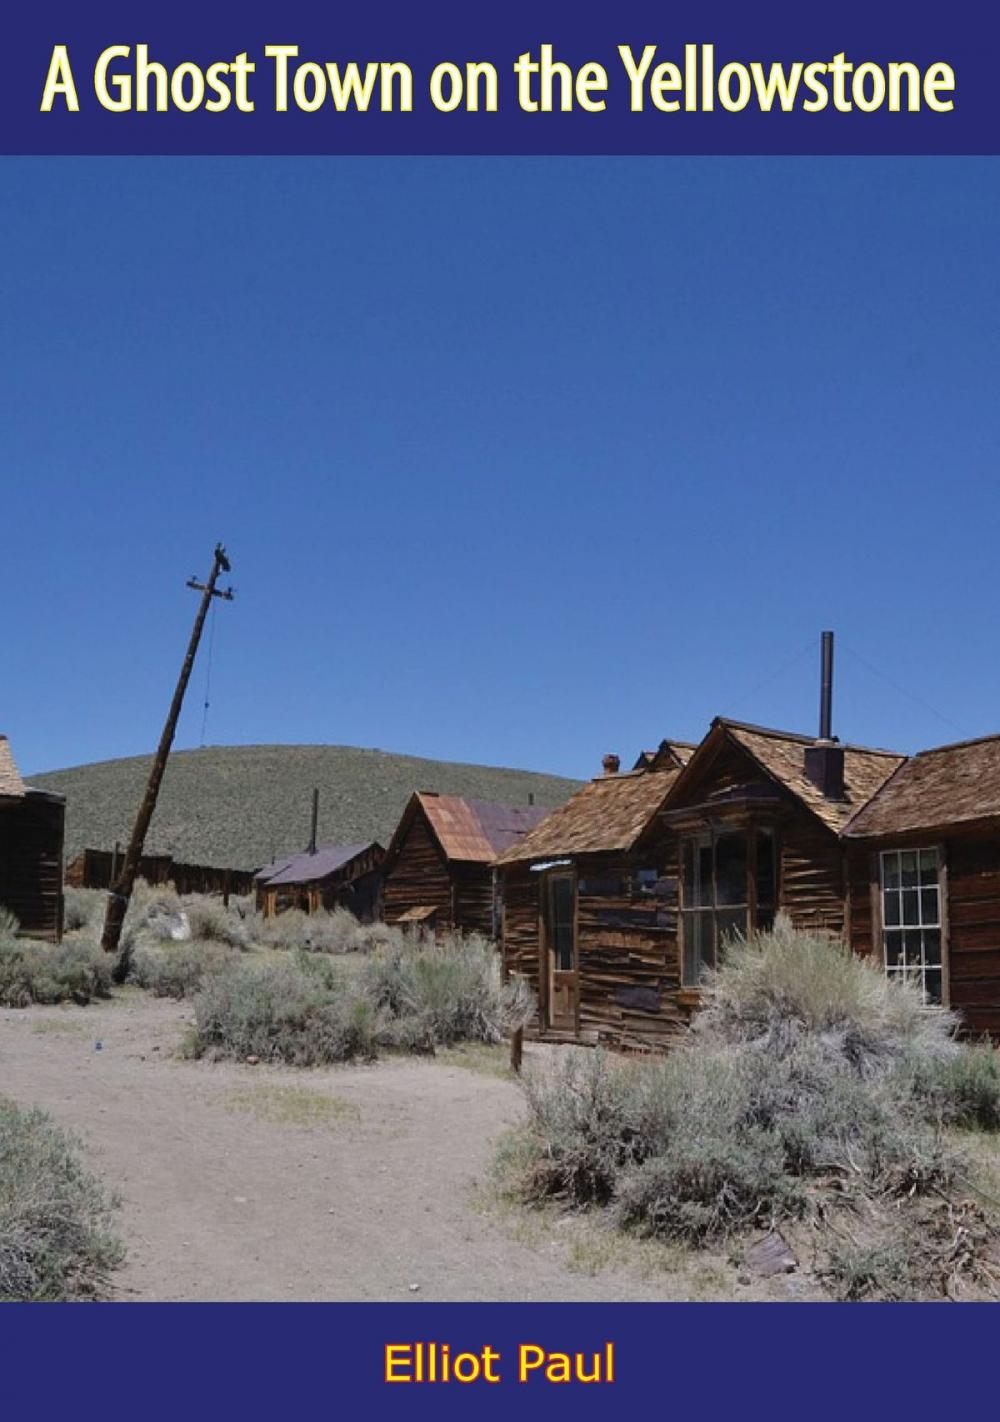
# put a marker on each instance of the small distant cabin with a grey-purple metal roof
(331, 877)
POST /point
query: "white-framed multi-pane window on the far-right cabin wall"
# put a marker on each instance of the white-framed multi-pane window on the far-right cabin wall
(913, 918)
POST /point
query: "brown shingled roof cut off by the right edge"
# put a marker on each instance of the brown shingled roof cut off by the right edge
(950, 786)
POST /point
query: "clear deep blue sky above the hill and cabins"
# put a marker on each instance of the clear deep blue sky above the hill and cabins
(518, 461)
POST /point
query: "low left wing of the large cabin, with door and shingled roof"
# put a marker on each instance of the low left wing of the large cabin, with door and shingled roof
(587, 916)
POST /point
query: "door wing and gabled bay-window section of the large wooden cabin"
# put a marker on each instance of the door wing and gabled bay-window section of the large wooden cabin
(617, 929)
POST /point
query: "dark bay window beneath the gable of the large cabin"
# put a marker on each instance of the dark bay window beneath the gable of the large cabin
(729, 887)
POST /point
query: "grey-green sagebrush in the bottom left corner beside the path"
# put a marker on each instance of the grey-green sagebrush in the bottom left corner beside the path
(56, 1238)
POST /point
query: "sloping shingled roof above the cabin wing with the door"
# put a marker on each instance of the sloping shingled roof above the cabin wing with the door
(610, 814)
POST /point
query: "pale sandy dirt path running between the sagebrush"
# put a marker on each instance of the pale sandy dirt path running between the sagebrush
(267, 1184)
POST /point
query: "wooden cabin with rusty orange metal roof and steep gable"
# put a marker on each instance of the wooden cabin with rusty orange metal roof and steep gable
(439, 865)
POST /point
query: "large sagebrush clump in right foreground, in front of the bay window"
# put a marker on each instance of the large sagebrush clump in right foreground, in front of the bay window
(810, 1087)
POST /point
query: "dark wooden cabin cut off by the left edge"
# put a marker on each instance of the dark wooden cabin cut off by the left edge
(32, 828)
